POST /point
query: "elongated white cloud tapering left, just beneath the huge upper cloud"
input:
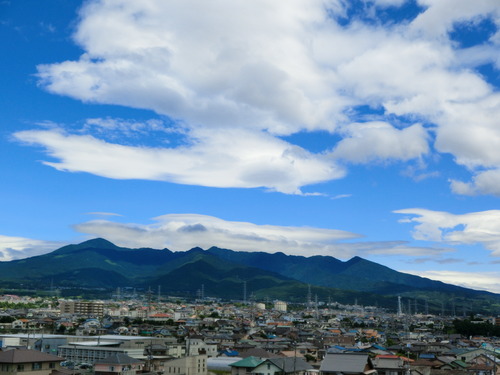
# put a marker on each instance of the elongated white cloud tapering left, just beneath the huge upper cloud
(234, 158)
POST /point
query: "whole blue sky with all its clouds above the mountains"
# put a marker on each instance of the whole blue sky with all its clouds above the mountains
(328, 127)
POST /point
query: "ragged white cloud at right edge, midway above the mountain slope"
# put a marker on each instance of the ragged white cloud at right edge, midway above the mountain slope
(467, 229)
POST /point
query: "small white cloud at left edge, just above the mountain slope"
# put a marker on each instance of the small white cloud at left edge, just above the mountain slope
(12, 248)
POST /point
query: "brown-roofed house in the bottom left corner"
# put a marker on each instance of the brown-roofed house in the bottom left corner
(22, 361)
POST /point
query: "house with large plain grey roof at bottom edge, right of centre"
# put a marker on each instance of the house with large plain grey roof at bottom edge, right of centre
(346, 364)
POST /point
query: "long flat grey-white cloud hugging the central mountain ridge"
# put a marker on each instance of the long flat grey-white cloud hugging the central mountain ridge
(179, 232)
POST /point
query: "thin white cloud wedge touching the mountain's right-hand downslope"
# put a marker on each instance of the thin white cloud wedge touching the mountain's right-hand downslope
(488, 281)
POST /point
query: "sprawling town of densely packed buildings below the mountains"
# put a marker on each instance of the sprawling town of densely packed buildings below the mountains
(168, 335)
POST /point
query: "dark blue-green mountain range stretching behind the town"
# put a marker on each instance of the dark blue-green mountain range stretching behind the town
(99, 264)
